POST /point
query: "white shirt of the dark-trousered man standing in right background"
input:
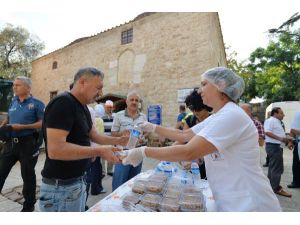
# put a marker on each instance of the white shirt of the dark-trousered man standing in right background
(274, 126)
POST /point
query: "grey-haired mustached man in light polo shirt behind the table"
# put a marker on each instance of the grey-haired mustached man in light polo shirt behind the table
(123, 121)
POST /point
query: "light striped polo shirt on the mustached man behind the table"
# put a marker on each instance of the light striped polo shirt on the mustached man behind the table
(123, 121)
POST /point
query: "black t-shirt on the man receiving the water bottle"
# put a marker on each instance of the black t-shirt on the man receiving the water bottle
(65, 112)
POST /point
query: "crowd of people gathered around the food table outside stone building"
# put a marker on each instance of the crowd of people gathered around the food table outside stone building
(222, 136)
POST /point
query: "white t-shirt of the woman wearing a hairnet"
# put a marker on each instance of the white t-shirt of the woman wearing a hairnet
(233, 171)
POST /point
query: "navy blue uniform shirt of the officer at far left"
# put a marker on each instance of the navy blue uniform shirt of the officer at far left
(29, 111)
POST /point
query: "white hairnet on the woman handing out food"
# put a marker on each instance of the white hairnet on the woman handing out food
(226, 81)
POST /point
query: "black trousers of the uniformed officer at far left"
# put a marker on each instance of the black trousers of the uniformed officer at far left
(26, 152)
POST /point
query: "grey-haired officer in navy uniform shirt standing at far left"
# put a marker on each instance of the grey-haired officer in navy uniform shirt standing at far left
(25, 116)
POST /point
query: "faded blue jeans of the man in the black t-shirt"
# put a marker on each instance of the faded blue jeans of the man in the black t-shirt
(63, 198)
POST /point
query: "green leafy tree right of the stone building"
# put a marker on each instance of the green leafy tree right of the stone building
(277, 67)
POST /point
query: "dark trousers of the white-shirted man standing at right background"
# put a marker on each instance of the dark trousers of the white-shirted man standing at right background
(275, 170)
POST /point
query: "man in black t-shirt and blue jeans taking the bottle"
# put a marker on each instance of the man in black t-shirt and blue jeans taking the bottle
(68, 132)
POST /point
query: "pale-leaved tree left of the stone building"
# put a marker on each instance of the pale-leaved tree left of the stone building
(17, 49)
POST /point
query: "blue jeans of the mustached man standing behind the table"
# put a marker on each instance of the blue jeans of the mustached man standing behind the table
(124, 173)
